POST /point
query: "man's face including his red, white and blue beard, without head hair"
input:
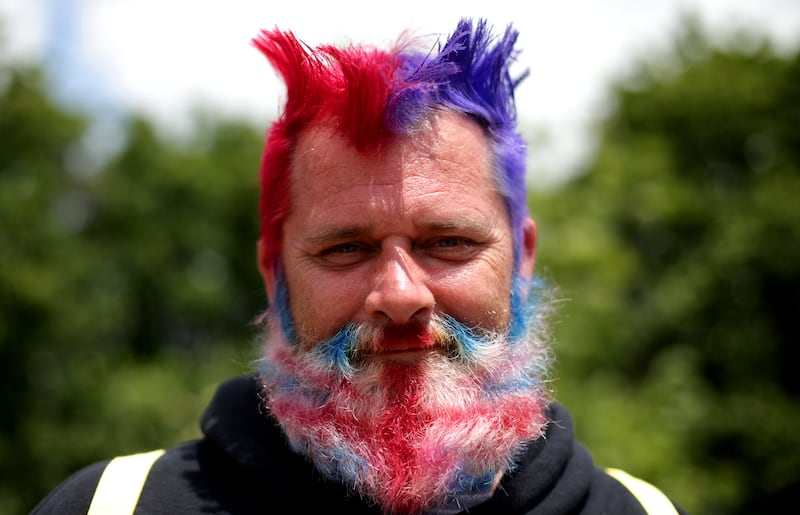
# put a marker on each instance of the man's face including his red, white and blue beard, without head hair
(398, 269)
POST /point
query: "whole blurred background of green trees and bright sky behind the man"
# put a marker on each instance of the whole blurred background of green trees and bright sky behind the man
(664, 177)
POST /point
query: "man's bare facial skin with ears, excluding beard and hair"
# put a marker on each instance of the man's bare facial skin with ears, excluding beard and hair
(393, 238)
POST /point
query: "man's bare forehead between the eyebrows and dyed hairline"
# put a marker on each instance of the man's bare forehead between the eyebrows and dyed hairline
(447, 151)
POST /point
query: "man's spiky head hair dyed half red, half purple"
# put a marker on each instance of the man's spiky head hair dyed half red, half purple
(370, 95)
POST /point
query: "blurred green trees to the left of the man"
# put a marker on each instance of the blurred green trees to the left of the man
(126, 293)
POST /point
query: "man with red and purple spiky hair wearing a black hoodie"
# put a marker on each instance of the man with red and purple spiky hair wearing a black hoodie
(405, 354)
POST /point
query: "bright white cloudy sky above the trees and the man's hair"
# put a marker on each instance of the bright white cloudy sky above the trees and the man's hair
(165, 56)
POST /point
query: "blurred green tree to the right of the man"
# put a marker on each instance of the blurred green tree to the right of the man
(678, 253)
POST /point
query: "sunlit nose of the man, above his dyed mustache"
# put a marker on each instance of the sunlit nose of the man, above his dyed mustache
(399, 292)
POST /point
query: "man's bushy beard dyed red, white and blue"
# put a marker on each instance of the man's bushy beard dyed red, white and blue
(410, 435)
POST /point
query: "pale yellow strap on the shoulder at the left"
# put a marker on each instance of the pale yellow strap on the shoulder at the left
(121, 484)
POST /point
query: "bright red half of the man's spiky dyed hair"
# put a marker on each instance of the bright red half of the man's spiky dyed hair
(346, 87)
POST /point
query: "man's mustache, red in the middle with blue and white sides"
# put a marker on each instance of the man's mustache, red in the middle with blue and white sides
(349, 346)
